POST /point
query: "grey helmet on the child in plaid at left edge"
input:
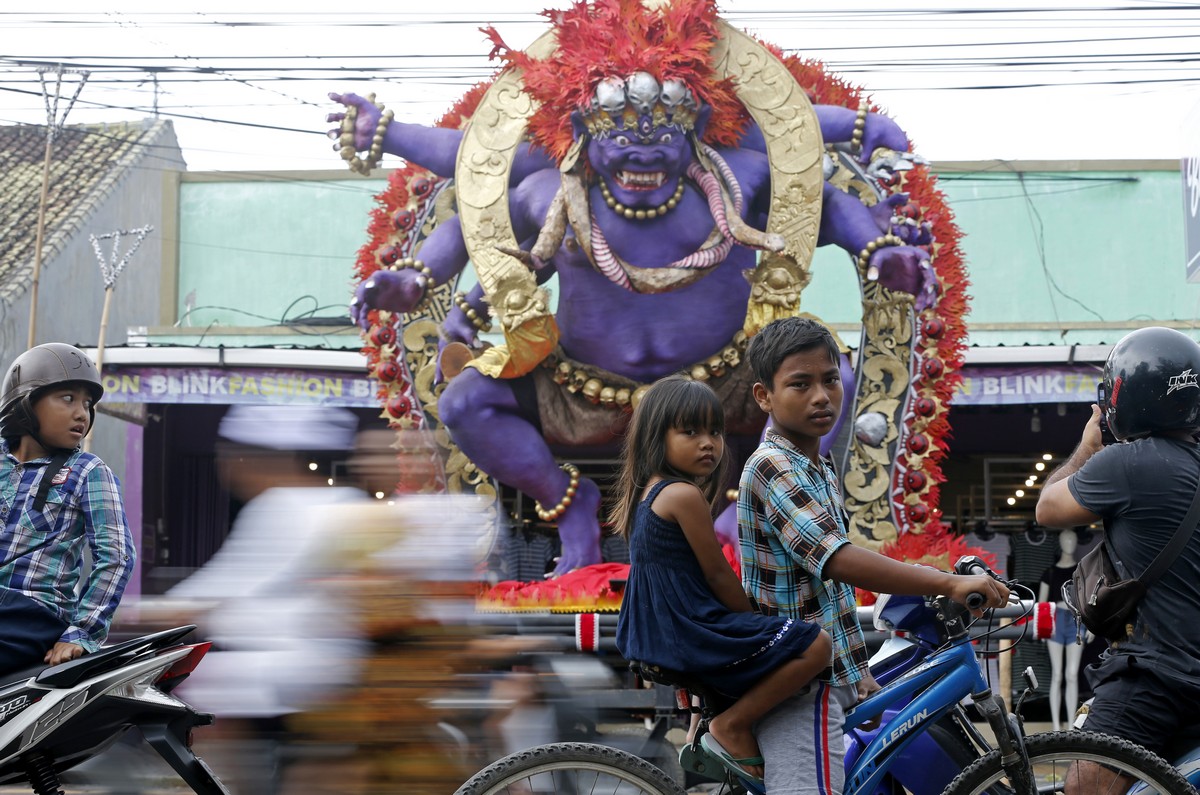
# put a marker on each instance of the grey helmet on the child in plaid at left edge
(35, 372)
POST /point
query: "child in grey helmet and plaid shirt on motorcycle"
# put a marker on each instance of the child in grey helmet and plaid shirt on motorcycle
(56, 500)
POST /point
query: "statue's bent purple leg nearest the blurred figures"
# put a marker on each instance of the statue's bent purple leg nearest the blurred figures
(487, 423)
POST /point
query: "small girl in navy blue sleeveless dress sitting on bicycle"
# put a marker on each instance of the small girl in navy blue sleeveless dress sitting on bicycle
(683, 607)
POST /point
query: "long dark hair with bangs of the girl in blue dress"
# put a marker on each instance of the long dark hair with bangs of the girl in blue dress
(675, 402)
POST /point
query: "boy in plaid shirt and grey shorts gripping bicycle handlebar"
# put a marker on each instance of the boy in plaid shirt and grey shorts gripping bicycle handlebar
(799, 561)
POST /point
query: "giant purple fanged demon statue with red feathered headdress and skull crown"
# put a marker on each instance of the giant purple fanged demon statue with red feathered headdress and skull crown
(676, 177)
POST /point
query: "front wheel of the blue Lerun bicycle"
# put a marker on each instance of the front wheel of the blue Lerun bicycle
(1053, 754)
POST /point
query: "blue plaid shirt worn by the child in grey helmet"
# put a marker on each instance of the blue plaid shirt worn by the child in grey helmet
(40, 553)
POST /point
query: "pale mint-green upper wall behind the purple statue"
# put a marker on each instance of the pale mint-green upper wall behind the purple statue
(1054, 258)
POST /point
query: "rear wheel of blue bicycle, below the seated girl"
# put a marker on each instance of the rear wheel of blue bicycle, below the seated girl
(571, 769)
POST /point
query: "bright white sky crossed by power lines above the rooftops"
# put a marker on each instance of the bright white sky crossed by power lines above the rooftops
(969, 49)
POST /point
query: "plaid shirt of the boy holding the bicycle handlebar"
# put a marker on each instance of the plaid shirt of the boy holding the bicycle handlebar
(791, 522)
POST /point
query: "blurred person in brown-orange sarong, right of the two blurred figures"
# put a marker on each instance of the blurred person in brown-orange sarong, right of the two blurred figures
(404, 570)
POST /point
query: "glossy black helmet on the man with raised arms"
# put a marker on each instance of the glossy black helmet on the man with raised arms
(1150, 384)
